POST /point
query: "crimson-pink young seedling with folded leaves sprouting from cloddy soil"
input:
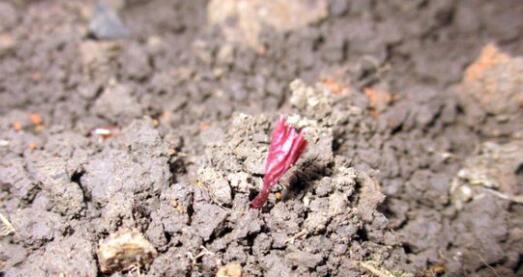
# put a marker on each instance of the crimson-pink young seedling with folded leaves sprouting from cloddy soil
(287, 145)
